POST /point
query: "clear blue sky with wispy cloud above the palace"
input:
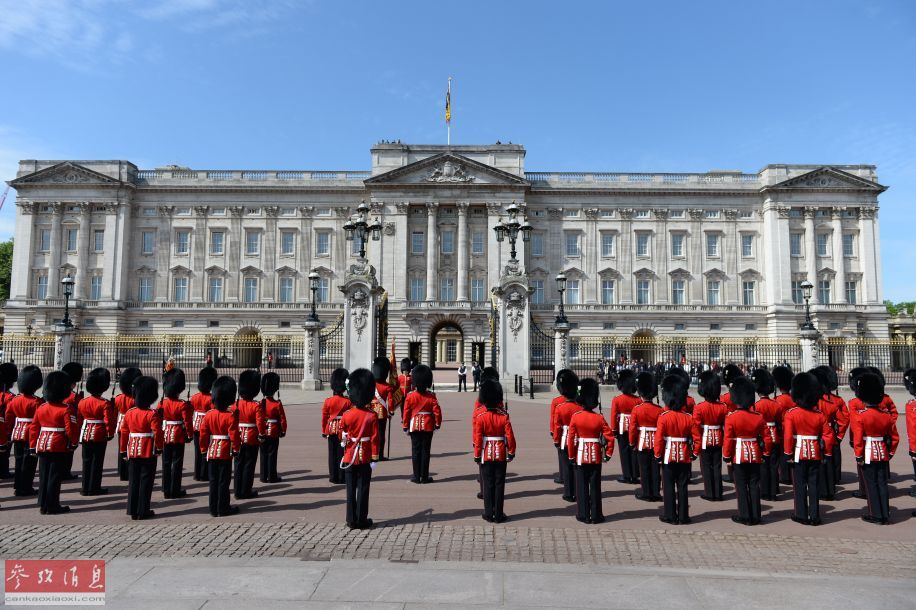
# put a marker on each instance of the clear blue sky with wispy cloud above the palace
(585, 86)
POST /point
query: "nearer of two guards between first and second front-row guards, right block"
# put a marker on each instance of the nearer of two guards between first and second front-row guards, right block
(643, 424)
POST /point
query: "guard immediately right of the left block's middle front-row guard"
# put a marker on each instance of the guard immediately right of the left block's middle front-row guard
(177, 430)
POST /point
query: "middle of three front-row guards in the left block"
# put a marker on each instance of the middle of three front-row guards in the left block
(141, 439)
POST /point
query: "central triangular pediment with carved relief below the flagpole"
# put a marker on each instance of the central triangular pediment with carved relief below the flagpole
(446, 169)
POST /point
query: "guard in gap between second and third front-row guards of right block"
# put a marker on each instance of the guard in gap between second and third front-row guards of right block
(709, 416)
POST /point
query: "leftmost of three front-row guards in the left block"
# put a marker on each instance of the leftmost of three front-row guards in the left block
(52, 435)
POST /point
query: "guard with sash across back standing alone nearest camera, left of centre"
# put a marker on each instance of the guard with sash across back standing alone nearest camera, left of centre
(359, 436)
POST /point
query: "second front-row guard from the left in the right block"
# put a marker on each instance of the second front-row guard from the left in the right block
(673, 447)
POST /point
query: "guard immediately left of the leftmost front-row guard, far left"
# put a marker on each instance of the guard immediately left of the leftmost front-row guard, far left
(19, 415)
